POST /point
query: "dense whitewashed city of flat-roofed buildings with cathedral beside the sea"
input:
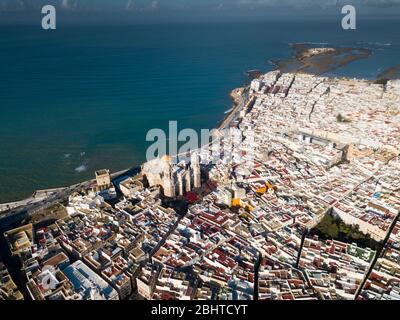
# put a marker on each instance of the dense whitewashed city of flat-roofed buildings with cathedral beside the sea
(309, 146)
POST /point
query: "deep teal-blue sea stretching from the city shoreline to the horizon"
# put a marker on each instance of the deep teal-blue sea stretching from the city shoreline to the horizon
(83, 98)
